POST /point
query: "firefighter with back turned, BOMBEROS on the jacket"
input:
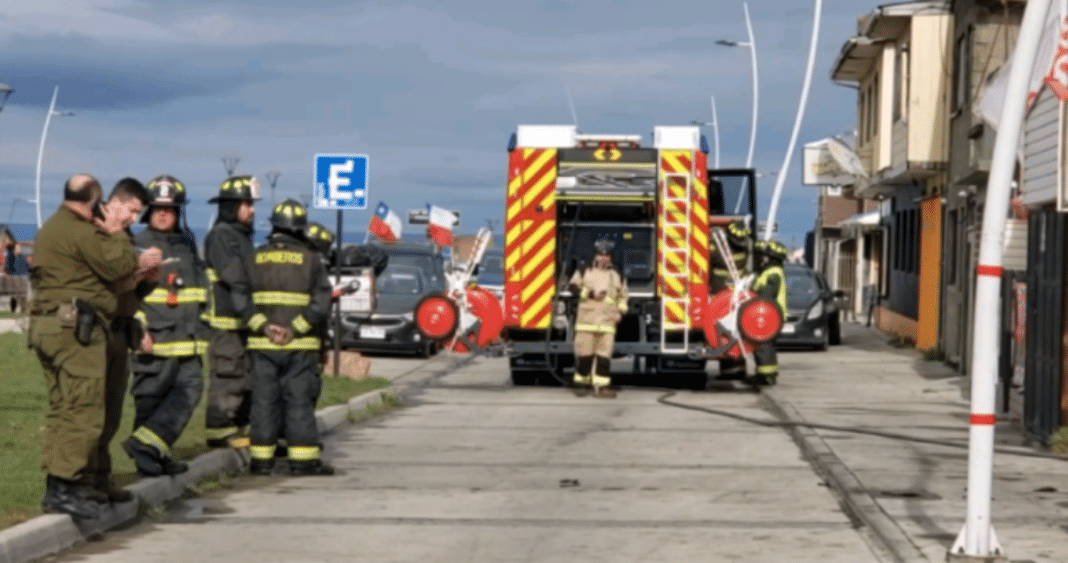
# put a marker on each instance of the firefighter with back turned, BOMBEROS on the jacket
(291, 293)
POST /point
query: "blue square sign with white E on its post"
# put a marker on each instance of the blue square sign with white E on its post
(340, 183)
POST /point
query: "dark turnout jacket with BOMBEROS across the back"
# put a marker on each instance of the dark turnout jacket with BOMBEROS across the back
(291, 289)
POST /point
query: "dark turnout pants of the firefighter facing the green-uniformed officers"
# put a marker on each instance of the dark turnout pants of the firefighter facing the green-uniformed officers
(166, 393)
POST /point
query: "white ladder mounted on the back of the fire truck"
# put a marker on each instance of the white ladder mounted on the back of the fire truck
(676, 249)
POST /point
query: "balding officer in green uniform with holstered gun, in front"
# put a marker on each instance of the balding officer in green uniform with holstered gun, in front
(76, 258)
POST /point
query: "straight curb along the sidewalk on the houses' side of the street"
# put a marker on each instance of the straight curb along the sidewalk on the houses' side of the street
(853, 495)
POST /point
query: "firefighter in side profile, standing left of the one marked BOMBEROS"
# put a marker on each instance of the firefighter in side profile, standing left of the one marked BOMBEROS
(228, 251)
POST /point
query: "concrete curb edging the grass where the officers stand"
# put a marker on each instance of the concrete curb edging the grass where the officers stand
(53, 534)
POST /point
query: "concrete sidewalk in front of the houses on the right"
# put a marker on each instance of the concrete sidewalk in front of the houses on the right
(910, 491)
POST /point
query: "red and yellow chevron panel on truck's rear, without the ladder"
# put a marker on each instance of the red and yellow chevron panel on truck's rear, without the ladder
(530, 239)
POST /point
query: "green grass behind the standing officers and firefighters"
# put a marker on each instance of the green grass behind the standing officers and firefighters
(24, 402)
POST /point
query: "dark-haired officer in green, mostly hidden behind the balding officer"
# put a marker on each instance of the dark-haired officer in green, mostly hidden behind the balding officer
(128, 198)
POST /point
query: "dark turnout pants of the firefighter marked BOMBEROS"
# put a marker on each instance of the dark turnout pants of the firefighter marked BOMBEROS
(286, 386)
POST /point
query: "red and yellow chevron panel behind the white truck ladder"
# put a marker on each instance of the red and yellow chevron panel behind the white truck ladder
(672, 241)
